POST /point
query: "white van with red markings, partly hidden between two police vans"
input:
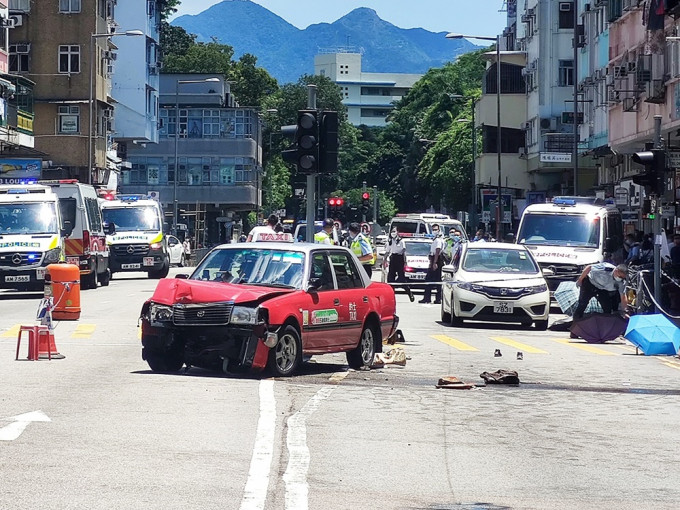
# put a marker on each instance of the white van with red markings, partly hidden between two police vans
(85, 243)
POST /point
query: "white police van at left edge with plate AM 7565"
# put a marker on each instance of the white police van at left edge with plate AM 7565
(31, 235)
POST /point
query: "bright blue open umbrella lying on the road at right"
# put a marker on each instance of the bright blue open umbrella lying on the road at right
(653, 334)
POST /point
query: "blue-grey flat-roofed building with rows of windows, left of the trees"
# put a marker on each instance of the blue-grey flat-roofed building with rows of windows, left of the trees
(216, 149)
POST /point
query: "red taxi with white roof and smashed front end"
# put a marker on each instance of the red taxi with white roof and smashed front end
(248, 306)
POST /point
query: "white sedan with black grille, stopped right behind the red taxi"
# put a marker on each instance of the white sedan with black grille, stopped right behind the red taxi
(496, 282)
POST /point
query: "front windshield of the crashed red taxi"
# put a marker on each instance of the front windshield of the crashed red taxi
(253, 266)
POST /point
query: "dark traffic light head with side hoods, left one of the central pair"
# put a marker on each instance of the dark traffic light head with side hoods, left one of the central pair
(304, 152)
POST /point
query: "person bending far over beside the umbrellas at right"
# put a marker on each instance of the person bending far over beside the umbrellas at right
(603, 281)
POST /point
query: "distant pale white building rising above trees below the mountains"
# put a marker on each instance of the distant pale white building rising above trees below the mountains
(369, 97)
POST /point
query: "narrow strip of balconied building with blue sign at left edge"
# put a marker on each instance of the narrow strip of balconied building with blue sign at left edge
(19, 161)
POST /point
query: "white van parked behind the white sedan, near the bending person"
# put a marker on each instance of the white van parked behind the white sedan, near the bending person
(570, 233)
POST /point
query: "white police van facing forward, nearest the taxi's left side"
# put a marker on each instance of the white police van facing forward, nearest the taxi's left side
(138, 243)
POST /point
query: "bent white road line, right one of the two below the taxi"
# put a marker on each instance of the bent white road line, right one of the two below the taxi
(295, 476)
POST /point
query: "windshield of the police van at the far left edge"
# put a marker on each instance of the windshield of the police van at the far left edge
(28, 218)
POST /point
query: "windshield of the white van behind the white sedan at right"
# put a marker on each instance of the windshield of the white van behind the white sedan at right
(560, 230)
